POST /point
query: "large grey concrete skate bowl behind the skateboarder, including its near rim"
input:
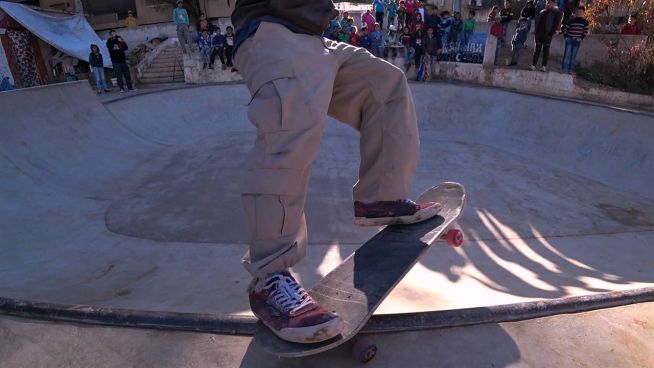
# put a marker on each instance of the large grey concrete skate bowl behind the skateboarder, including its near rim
(128, 213)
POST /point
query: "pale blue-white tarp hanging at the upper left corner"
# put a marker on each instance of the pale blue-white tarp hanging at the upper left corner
(70, 34)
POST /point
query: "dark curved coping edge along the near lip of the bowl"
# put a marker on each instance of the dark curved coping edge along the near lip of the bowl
(245, 325)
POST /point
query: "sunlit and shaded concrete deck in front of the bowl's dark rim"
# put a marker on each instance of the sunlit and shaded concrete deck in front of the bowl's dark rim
(616, 337)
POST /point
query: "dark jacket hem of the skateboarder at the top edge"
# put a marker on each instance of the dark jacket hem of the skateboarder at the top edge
(312, 16)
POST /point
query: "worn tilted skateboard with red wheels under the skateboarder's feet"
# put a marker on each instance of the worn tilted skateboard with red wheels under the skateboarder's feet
(358, 286)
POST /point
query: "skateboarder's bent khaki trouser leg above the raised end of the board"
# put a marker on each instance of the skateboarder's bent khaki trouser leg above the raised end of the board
(382, 110)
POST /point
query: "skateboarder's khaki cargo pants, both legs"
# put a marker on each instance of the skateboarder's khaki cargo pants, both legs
(296, 80)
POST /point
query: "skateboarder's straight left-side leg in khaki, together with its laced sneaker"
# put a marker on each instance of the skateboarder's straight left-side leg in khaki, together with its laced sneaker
(291, 80)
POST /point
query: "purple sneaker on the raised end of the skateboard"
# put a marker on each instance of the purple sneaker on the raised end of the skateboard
(403, 211)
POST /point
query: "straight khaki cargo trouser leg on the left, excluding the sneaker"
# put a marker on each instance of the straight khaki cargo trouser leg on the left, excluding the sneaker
(291, 80)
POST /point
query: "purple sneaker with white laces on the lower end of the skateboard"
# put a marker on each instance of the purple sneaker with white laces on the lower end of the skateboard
(290, 312)
